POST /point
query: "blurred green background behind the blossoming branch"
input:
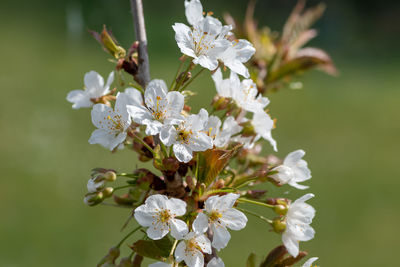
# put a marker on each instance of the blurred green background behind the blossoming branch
(348, 125)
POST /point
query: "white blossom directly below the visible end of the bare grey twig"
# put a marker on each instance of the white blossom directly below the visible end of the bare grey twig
(160, 109)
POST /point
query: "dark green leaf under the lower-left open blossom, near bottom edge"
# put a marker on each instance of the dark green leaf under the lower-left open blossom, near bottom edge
(154, 249)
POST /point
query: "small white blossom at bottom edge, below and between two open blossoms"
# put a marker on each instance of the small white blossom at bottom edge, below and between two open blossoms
(191, 249)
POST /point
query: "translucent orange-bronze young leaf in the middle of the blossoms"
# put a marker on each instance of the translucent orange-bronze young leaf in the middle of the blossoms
(212, 162)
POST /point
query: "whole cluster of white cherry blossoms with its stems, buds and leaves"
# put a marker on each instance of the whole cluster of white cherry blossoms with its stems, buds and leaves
(208, 163)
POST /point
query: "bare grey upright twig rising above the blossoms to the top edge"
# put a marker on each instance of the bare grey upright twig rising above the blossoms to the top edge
(140, 31)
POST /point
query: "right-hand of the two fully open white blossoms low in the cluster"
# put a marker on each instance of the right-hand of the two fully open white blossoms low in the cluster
(220, 214)
